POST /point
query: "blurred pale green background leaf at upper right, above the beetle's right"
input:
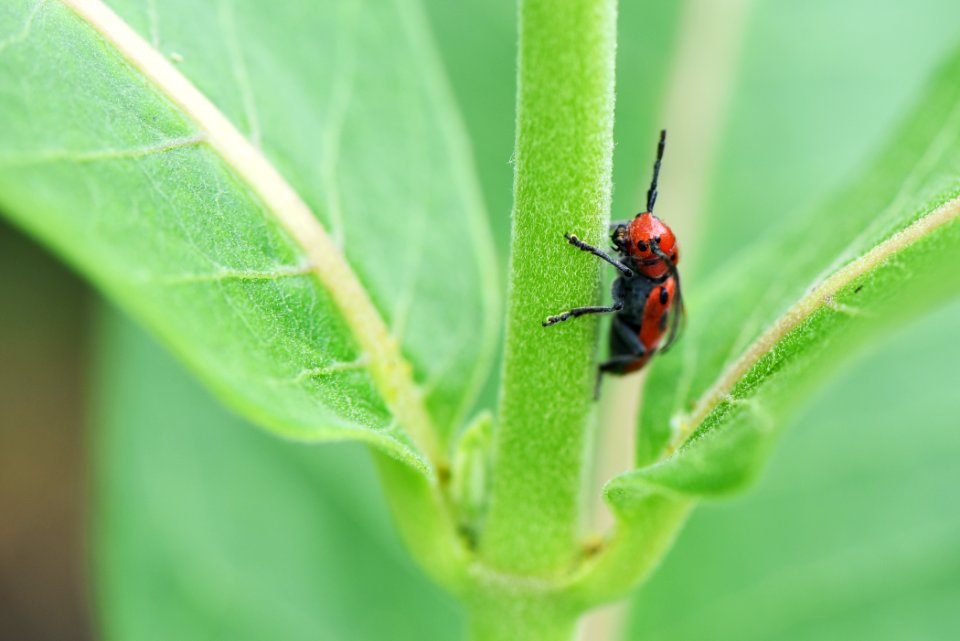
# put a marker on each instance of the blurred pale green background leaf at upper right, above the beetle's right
(808, 114)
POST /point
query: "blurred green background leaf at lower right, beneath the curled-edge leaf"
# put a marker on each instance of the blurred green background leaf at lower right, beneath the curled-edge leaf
(851, 533)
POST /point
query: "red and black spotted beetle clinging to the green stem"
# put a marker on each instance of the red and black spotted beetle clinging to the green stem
(647, 301)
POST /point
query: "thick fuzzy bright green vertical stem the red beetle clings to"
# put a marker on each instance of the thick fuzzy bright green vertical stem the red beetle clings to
(562, 185)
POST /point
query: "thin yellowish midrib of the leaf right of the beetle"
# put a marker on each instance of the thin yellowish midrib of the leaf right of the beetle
(820, 296)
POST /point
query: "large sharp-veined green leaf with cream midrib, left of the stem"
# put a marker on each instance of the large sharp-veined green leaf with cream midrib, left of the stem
(328, 271)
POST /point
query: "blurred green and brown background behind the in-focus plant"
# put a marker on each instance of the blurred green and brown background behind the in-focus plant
(204, 527)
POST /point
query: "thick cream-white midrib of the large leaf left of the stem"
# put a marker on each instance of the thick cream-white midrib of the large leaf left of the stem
(391, 373)
